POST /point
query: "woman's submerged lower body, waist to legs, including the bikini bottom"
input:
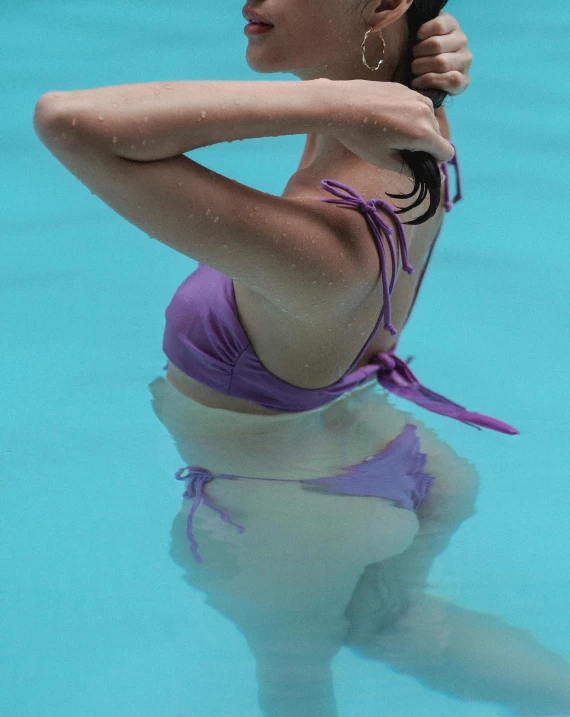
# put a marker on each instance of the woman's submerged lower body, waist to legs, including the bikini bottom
(318, 530)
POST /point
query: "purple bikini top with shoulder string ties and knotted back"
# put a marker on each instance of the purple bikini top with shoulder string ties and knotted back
(204, 338)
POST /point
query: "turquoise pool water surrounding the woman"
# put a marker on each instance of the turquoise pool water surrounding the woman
(95, 618)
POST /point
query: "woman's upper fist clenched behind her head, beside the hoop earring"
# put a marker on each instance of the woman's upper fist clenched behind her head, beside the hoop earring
(442, 57)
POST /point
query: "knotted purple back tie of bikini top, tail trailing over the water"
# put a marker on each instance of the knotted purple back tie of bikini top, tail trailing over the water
(395, 376)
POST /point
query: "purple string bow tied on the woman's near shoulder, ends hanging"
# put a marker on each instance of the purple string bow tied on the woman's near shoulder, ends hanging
(350, 198)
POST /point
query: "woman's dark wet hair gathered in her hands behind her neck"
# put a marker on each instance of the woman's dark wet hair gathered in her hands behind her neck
(424, 166)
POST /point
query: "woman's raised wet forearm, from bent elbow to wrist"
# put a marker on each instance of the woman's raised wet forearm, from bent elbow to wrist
(157, 120)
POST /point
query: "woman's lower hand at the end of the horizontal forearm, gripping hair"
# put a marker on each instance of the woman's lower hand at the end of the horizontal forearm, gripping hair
(376, 120)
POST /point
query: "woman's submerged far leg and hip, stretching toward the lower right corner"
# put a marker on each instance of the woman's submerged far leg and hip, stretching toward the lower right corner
(449, 648)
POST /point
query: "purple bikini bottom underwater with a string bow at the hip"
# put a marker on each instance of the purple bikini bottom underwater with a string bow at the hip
(396, 473)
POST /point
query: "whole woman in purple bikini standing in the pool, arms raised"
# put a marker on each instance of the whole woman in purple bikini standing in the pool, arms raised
(346, 500)
